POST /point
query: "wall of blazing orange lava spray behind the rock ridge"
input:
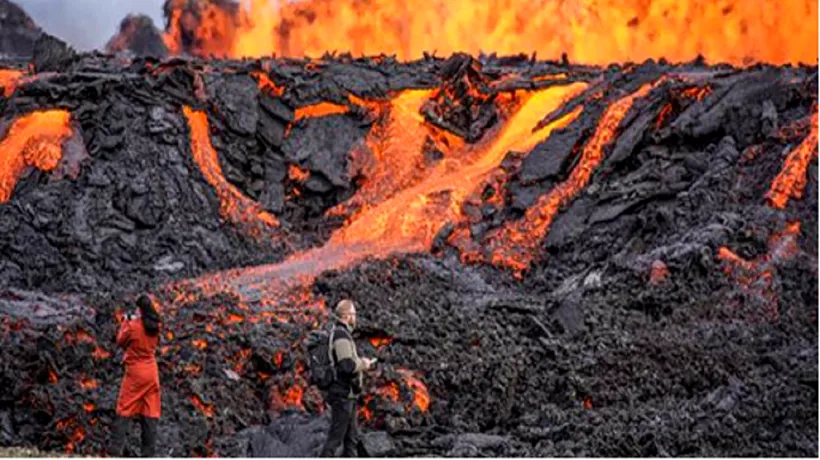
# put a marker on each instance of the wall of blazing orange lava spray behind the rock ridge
(588, 31)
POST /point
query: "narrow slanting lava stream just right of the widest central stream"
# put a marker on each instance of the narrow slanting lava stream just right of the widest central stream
(514, 245)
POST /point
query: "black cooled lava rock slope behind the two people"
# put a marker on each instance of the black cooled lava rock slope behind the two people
(632, 333)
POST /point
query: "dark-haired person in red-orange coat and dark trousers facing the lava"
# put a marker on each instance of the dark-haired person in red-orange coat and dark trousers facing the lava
(139, 394)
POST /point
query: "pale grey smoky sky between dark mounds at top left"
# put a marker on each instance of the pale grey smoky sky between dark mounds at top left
(88, 24)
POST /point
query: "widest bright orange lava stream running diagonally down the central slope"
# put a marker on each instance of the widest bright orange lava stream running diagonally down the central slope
(409, 219)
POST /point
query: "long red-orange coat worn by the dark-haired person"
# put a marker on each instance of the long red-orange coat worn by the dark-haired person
(139, 393)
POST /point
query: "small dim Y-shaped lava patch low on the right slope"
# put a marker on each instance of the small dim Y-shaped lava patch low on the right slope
(756, 277)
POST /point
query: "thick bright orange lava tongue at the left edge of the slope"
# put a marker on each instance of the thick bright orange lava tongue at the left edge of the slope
(34, 140)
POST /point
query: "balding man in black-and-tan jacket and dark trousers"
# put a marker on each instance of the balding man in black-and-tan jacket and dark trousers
(347, 386)
